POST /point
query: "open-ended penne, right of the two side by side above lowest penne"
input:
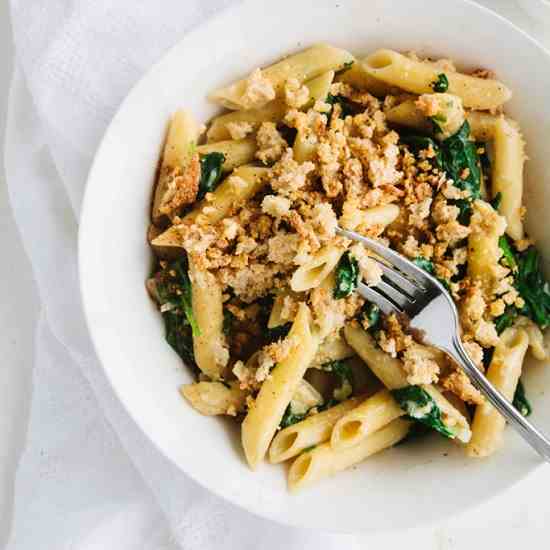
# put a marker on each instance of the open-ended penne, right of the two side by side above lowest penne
(365, 419)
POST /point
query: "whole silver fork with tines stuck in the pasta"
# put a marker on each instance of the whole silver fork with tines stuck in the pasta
(430, 309)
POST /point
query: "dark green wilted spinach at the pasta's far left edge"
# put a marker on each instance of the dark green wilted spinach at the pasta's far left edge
(173, 288)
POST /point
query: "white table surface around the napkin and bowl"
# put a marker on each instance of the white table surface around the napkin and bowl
(519, 518)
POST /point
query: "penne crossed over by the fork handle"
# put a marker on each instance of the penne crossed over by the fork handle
(503, 372)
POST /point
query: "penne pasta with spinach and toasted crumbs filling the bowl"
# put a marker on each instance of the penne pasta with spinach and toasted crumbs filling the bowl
(257, 289)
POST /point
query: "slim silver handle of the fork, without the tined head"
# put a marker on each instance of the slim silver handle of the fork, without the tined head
(529, 433)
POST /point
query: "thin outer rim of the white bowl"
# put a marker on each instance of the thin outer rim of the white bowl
(86, 217)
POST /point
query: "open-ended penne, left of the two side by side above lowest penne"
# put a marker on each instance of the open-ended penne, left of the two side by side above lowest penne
(315, 429)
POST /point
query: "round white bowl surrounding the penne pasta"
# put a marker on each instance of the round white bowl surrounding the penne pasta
(400, 488)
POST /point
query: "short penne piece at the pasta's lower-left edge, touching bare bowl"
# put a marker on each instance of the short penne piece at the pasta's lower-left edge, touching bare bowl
(215, 398)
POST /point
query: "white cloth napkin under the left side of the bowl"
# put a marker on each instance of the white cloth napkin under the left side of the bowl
(88, 478)
